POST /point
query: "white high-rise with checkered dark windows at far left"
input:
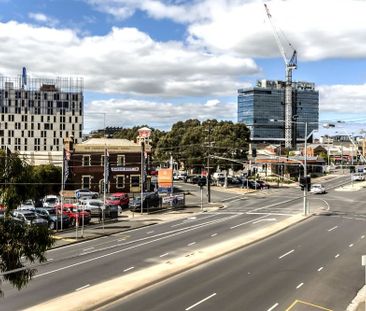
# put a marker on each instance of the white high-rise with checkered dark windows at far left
(37, 114)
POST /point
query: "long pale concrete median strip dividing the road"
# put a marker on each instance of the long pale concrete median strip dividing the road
(106, 292)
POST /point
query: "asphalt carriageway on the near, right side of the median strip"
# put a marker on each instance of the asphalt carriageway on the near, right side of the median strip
(315, 265)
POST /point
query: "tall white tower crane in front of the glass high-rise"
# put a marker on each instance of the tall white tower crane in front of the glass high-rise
(291, 64)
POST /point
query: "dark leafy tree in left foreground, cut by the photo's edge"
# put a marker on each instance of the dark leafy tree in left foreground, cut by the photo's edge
(18, 242)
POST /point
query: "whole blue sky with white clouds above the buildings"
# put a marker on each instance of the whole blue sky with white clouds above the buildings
(159, 61)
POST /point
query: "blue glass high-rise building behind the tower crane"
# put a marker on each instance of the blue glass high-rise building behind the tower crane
(262, 109)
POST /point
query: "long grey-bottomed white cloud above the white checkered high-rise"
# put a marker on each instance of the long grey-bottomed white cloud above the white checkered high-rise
(123, 61)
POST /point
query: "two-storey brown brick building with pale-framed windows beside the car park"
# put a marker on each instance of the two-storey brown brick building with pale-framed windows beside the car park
(86, 165)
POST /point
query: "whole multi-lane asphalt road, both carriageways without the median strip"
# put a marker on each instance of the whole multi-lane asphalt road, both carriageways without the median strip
(315, 262)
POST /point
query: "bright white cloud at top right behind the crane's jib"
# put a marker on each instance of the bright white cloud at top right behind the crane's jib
(317, 29)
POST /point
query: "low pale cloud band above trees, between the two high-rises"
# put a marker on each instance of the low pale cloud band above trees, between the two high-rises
(130, 112)
